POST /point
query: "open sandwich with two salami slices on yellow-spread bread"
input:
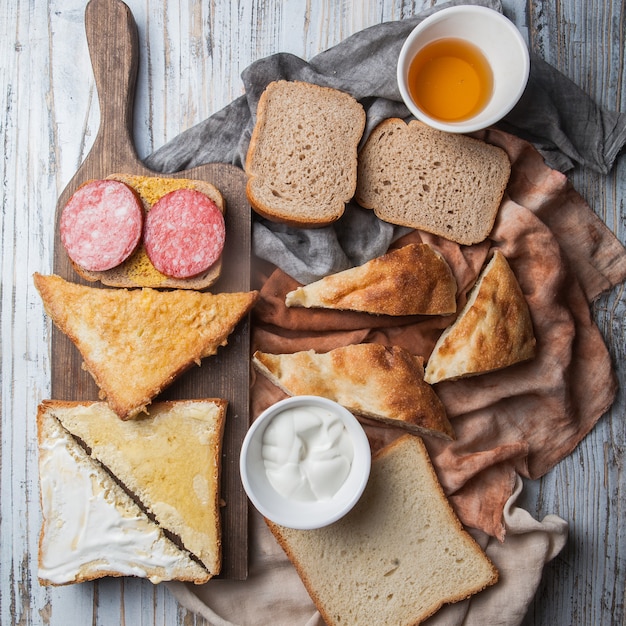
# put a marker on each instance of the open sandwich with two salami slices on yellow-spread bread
(145, 231)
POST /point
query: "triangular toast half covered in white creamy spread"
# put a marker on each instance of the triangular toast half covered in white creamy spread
(91, 528)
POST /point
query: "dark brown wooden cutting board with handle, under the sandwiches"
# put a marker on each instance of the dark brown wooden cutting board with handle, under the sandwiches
(113, 45)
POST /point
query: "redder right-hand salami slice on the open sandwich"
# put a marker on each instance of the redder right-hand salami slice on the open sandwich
(184, 233)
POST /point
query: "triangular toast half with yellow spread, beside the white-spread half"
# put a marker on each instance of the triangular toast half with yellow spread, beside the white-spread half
(169, 461)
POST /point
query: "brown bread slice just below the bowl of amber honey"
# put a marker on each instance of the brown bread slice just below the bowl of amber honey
(446, 184)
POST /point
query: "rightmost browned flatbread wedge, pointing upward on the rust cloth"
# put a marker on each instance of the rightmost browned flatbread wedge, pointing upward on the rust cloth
(494, 330)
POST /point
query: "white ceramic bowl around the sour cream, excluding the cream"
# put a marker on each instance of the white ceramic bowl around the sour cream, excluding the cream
(303, 514)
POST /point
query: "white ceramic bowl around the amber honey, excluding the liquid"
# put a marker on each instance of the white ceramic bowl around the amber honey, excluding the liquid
(502, 45)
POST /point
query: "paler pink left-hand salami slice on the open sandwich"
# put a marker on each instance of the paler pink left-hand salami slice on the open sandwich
(101, 224)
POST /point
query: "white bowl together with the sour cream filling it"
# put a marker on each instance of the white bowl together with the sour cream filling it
(305, 462)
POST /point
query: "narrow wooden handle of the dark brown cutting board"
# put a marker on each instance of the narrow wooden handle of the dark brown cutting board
(114, 50)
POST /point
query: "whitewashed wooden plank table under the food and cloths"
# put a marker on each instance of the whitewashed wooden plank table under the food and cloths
(191, 56)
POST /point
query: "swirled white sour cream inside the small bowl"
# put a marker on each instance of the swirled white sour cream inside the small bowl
(307, 453)
